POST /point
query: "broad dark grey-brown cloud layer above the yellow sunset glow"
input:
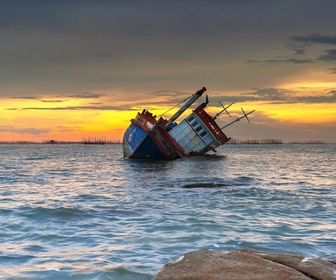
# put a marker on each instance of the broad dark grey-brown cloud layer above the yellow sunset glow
(74, 46)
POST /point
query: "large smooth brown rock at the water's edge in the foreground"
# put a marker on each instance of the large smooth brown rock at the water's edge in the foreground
(246, 264)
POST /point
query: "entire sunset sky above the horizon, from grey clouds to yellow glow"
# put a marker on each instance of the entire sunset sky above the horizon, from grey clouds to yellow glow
(77, 69)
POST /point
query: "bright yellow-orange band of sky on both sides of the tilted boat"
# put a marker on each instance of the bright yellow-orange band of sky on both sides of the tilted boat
(75, 119)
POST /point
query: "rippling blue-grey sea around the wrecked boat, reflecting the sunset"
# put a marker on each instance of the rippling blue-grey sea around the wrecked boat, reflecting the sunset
(75, 211)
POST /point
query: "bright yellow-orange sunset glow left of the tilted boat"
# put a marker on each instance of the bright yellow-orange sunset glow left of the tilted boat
(62, 120)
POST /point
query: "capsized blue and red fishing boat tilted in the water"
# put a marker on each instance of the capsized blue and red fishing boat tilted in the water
(150, 137)
